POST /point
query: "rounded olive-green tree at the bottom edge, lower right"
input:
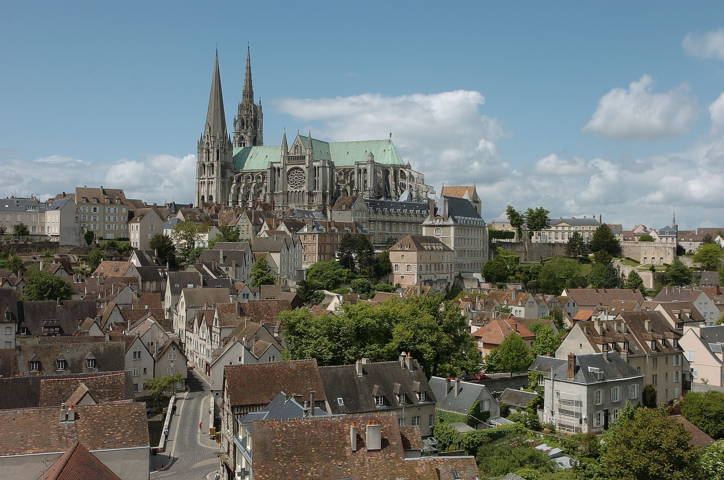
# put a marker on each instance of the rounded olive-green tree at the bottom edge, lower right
(646, 444)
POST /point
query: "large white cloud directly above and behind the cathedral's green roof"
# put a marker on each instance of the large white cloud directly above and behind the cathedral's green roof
(443, 135)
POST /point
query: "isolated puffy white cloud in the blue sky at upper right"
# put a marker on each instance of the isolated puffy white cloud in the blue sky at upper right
(639, 113)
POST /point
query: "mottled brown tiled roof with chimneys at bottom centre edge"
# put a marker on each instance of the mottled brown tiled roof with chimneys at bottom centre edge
(282, 450)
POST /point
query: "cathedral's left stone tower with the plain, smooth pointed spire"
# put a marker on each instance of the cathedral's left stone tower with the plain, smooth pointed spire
(214, 159)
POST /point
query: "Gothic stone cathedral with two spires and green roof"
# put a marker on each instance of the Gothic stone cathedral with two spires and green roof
(308, 173)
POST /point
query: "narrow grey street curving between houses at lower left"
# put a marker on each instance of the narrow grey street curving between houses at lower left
(192, 452)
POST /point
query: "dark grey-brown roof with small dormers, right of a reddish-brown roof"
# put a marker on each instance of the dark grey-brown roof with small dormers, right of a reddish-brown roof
(386, 379)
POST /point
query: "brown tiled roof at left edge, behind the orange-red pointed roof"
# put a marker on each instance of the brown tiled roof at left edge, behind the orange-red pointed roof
(104, 426)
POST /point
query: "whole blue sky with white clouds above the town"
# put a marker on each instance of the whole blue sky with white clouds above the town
(586, 108)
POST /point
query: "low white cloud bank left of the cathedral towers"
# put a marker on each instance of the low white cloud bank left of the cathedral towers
(155, 178)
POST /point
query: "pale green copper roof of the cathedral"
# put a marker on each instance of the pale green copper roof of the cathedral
(343, 154)
